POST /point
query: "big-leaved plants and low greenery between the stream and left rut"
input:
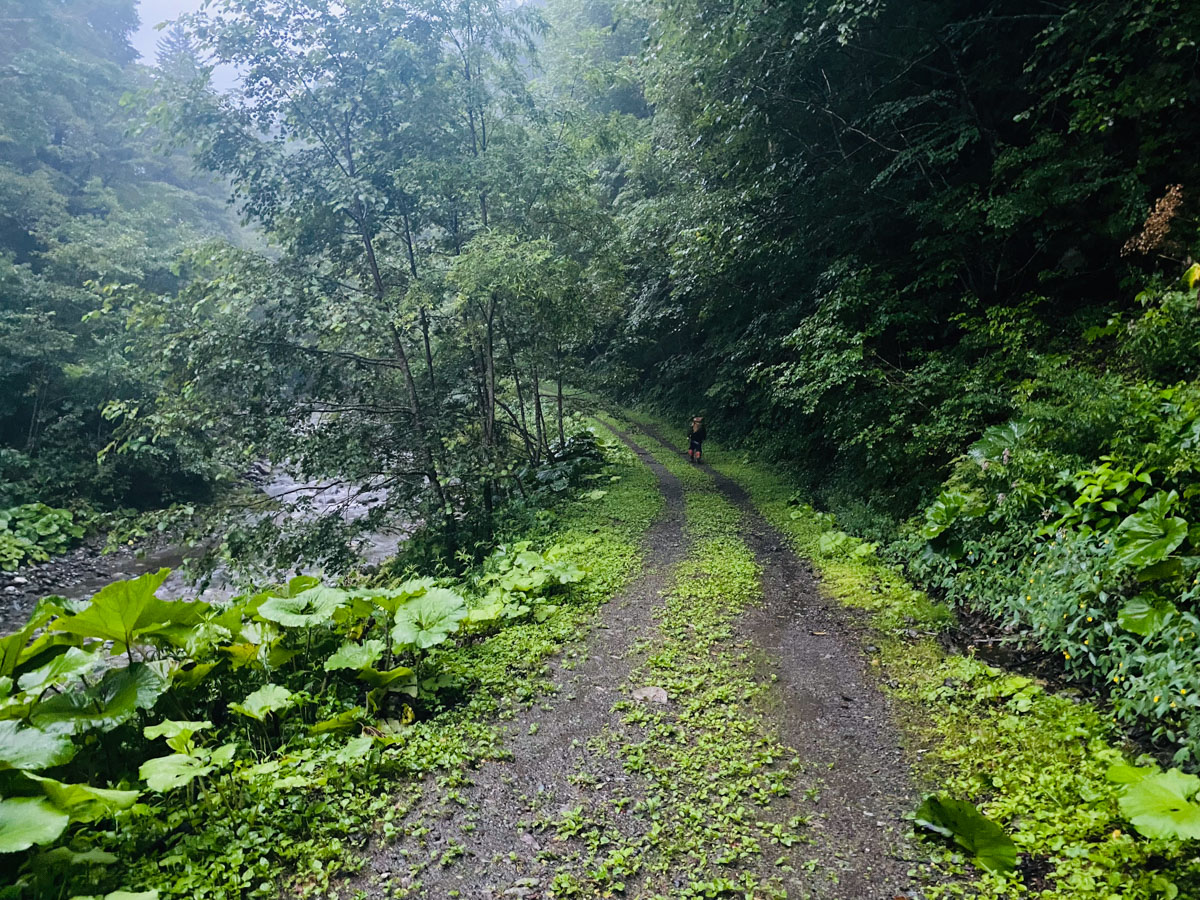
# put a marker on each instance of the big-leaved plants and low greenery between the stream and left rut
(241, 751)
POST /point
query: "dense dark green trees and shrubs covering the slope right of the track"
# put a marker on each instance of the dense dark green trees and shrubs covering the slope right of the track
(904, 245)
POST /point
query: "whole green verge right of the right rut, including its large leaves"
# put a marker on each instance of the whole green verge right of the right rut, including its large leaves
(1055, 801)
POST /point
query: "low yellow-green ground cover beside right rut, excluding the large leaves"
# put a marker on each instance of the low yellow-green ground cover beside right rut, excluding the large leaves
(1033, 760)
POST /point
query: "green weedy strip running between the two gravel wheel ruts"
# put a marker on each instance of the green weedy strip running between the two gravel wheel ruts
(711, 770)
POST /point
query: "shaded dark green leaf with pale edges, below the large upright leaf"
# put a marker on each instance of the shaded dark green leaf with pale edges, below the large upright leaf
(105, 705)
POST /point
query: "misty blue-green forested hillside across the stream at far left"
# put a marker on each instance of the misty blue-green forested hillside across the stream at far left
(85, 202)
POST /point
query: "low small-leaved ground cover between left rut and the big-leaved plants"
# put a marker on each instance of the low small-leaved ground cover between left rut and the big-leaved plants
(305, 821)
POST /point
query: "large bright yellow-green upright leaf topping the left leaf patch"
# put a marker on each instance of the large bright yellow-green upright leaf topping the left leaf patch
(125, 611)
